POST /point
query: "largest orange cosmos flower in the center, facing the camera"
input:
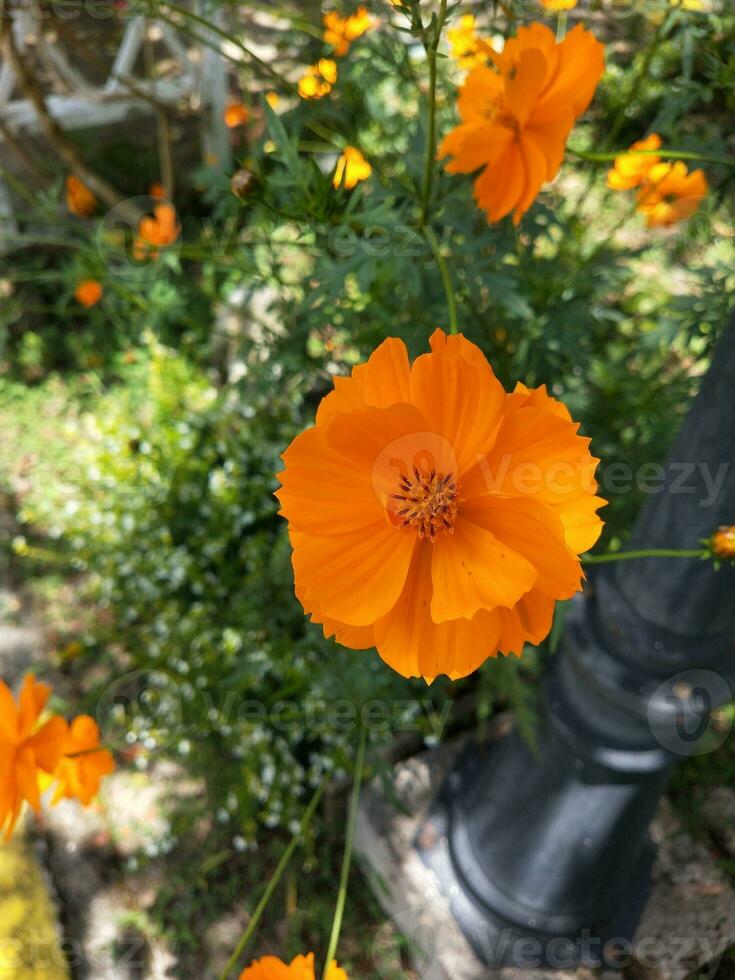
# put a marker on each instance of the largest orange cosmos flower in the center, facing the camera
(433, 516)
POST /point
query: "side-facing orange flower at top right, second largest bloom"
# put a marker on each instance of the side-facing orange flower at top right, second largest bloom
(518, 114)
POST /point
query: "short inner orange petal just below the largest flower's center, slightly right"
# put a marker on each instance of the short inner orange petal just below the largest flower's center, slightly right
(472, 570)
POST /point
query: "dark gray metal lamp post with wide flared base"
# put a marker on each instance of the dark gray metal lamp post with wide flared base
(555, 850)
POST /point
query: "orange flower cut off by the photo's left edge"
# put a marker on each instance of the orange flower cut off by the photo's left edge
(27, 749)
